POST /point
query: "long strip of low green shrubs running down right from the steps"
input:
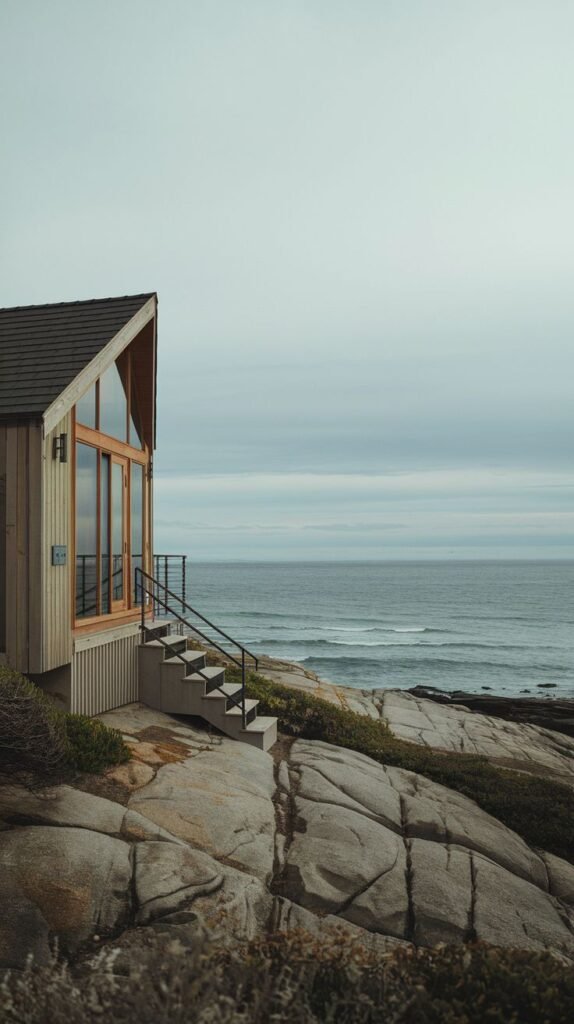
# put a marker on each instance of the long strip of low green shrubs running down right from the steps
(539, 809)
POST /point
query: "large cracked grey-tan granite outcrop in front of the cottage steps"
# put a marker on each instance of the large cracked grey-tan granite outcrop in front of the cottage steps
(202, 831)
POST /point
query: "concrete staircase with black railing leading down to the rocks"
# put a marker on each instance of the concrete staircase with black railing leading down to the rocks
(178, 681)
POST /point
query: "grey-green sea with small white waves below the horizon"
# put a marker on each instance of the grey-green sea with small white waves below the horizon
(470, 626)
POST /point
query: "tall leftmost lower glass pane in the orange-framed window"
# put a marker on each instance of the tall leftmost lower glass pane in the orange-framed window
(86, 531)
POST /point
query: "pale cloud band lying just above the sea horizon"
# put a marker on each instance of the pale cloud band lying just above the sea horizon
(391, 516)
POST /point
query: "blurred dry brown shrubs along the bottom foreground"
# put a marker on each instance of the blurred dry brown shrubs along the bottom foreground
(295, 978)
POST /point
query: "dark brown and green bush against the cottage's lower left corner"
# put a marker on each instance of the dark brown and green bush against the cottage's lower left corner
(41, 744)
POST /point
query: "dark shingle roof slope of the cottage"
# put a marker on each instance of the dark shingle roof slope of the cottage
(43, 349)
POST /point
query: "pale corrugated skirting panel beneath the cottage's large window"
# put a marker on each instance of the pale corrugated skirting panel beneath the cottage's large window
(105, 676)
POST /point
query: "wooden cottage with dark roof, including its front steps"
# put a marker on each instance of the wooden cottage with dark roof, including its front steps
(78, 595)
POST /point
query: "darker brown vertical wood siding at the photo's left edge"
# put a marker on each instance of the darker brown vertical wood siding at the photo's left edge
(21, 464)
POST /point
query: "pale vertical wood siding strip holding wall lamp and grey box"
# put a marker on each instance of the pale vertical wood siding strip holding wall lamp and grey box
(58, 580)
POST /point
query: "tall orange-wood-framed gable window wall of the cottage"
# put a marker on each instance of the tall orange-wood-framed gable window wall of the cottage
(112, 495)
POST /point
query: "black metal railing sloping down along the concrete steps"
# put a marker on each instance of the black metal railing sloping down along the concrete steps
(161, 595)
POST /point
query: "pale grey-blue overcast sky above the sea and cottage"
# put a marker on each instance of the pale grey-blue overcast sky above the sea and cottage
(360, 219)
